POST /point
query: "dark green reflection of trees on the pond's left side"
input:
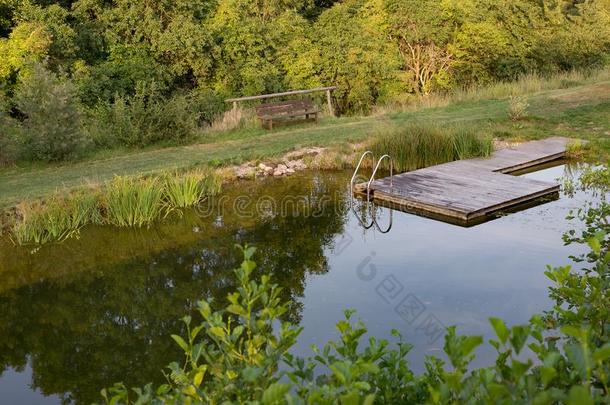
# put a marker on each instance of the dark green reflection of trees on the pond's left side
(87, 329)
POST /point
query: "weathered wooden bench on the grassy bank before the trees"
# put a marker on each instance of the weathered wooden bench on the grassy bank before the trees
(286, 111)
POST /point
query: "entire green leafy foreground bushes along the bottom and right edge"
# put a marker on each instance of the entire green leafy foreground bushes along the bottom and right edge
(241, 353)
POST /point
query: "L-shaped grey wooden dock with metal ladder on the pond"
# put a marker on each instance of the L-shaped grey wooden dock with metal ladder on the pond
(468, 192)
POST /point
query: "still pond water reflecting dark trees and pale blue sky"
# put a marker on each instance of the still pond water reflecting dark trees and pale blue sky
(78, 316)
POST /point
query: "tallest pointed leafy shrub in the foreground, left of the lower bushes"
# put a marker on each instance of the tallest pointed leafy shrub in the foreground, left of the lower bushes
(234, 353)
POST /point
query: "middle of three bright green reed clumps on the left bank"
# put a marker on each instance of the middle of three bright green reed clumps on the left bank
(132, 202)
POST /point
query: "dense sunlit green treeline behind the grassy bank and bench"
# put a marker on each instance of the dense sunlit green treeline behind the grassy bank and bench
(84, 74)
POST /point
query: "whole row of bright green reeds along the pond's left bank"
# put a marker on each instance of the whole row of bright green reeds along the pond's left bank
(122, 202)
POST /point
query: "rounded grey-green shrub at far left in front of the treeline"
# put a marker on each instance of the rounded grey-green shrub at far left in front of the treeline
(51, 129)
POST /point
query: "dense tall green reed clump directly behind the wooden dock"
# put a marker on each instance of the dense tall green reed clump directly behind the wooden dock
(415, 146)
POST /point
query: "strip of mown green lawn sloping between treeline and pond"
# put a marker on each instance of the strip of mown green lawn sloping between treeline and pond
(581, 111)
